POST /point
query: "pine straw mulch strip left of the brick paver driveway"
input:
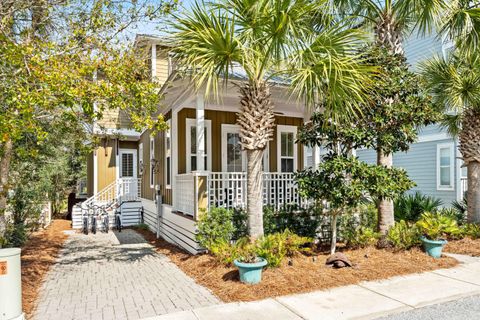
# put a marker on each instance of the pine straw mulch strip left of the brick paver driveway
(38, 255)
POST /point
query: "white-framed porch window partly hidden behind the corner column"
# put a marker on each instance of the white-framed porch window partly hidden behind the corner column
(191, 145)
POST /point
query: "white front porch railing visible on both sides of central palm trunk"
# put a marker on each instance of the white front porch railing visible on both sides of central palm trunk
(229, 189)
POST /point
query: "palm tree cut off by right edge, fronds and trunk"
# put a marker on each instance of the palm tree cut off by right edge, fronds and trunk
(454, 83)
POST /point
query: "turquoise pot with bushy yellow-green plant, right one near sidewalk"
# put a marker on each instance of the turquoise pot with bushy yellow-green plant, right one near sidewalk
(435, 228)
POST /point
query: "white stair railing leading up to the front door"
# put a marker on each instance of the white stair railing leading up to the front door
(123, 189)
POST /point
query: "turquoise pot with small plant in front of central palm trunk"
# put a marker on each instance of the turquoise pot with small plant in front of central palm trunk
(249, 264)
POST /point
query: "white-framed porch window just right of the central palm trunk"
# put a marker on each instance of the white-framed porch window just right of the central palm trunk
(287, 149)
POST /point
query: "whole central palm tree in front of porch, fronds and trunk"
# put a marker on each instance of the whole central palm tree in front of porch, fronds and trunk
(270, 39)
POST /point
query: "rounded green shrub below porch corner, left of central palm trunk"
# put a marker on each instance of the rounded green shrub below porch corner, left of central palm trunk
(215, 227)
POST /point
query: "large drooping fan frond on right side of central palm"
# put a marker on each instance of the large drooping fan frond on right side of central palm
(330, 73)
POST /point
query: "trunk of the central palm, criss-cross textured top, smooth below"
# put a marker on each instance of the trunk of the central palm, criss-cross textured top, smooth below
(257, 122)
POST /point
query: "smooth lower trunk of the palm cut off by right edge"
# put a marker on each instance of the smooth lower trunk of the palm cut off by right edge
(473, 193)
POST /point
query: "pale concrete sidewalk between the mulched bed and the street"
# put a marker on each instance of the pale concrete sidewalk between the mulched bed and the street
(367, 300)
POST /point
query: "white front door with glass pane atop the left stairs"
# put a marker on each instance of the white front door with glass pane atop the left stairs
(128, 182)
